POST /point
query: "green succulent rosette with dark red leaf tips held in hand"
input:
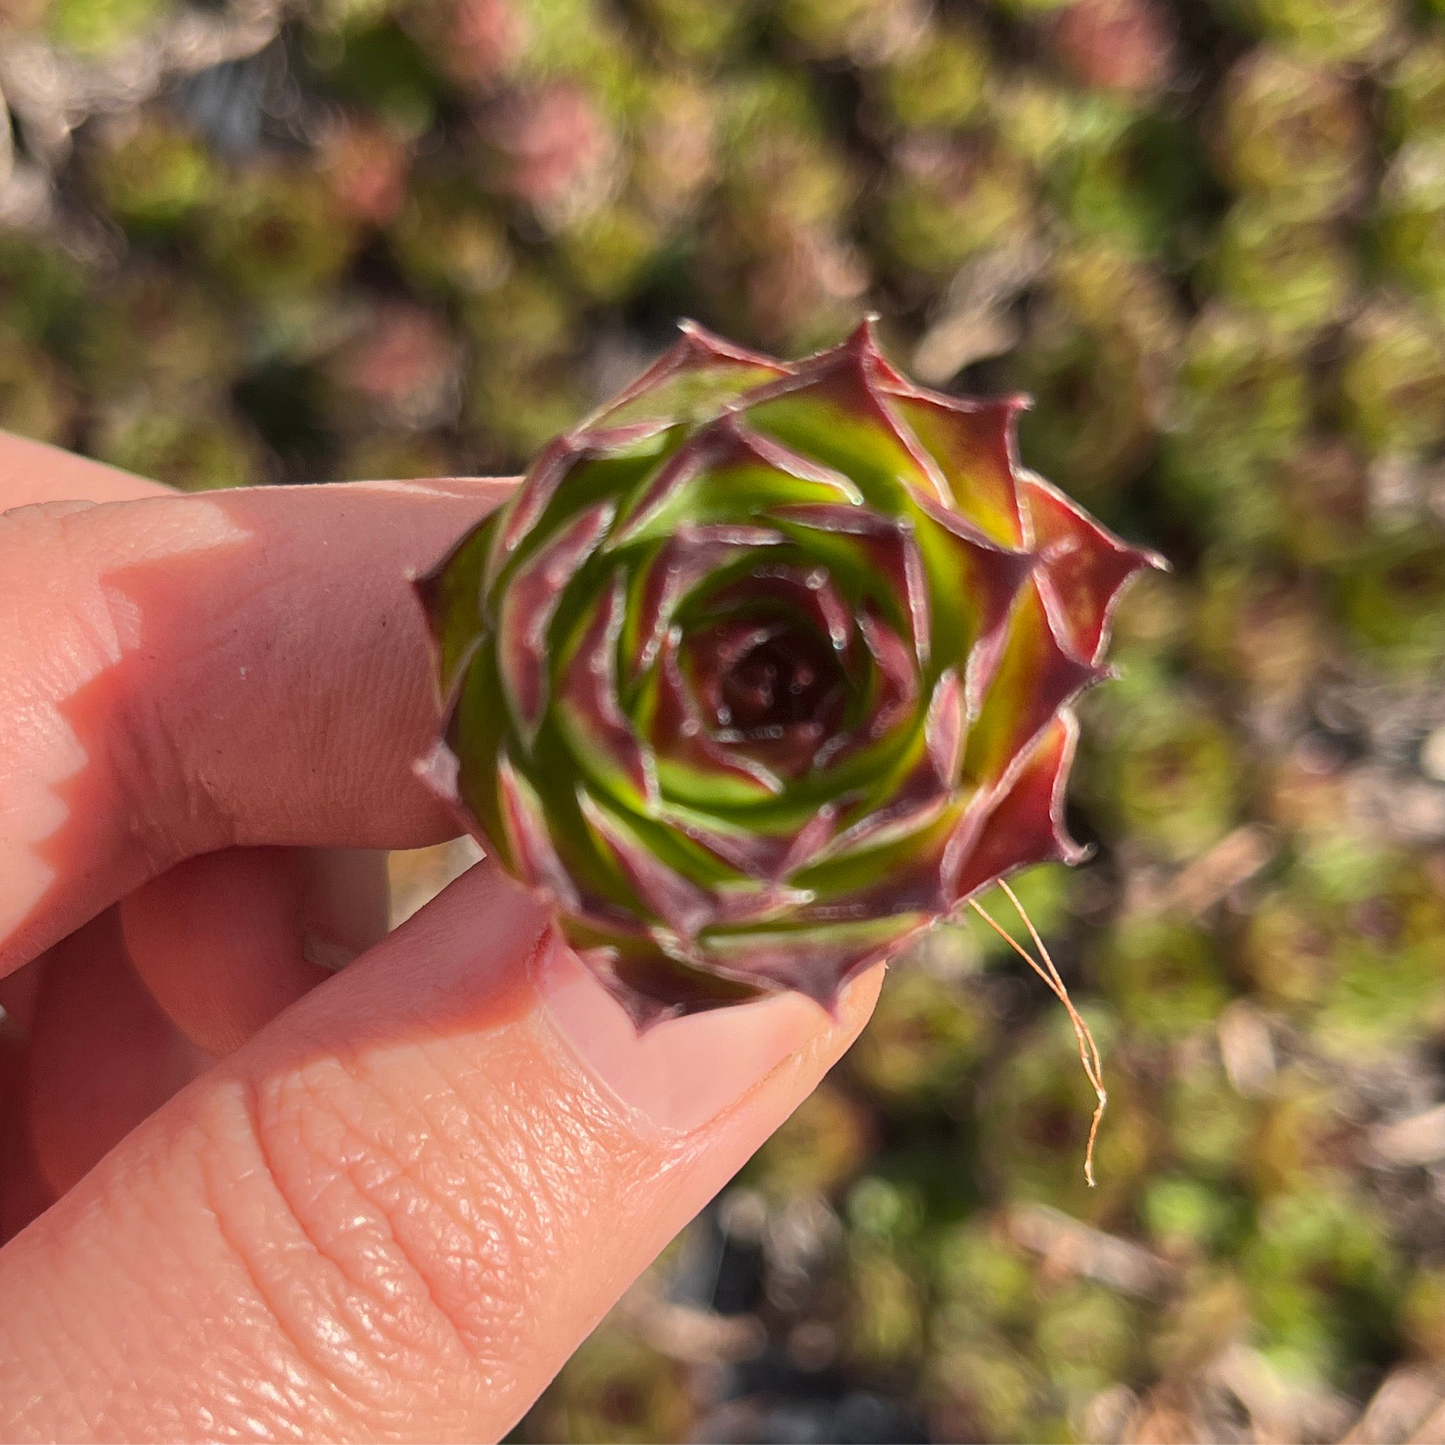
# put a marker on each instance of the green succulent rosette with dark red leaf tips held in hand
(767, 667)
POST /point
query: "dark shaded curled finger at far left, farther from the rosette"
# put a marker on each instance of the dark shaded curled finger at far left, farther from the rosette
(102, 1056)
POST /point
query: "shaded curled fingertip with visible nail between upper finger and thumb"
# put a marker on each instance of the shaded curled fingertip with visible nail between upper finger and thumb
(225, 943)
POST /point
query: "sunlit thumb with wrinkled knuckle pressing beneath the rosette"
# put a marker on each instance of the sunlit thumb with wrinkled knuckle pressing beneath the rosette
(415, 1194)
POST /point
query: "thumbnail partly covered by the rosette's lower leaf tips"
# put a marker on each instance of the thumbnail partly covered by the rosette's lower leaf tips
(681, 1074)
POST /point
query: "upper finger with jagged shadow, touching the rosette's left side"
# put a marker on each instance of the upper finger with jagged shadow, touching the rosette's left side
(187, 674)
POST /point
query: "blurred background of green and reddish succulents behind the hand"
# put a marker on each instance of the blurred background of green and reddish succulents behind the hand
(259, 242)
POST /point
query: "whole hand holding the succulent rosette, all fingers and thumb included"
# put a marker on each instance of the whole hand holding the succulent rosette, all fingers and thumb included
(245, 1197)
